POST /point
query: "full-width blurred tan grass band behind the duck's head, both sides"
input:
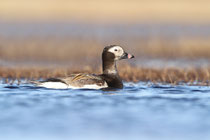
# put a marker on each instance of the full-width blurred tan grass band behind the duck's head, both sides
(79, 49)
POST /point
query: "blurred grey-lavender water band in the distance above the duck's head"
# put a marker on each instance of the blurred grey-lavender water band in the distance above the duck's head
(102, 32)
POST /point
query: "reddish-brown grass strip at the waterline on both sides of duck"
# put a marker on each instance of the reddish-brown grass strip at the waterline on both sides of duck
(192, 76)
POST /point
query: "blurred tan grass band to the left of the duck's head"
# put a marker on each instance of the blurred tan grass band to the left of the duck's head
(48, 49)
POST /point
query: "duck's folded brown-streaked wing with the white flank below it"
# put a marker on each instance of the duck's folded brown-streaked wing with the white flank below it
(85, 81)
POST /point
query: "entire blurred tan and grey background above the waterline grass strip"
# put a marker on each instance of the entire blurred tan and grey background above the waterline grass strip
(72, 33)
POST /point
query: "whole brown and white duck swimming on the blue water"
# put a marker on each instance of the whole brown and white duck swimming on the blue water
(108, 79)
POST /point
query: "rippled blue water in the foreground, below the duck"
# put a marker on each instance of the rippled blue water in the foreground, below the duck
(139, 111)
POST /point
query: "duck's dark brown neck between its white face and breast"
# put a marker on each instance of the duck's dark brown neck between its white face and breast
(109, 67)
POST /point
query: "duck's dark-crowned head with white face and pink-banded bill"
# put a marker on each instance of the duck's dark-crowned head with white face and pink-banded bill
(115, 52)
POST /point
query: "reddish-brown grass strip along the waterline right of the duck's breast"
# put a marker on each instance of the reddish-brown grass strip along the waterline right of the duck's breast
(200, 76)
